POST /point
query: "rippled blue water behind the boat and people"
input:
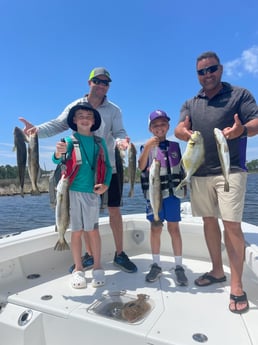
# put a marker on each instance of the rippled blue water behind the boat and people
(31, 212)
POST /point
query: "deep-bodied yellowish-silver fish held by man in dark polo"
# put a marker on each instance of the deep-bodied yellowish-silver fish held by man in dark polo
(192, 157)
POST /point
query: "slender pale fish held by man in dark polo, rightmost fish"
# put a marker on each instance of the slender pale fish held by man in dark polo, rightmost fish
(223, 152)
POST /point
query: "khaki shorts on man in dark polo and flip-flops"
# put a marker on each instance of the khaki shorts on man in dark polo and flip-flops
(208, 198)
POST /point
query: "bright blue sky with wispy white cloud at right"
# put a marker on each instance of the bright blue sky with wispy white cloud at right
(148, 46)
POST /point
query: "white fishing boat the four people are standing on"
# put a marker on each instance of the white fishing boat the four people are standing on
(38, 305)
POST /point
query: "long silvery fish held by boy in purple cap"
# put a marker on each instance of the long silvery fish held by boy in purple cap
(154, 188)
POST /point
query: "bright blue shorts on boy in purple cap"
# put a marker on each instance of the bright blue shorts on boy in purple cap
(170, 210)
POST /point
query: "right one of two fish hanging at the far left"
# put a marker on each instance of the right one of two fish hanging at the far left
(33, 162)
